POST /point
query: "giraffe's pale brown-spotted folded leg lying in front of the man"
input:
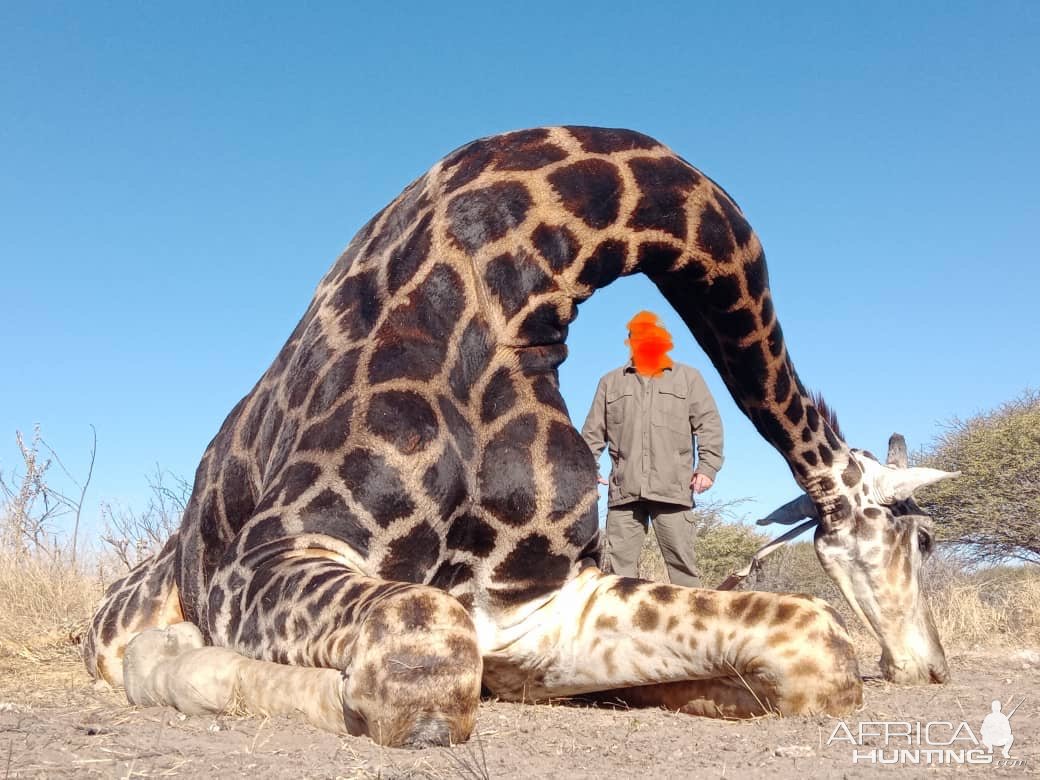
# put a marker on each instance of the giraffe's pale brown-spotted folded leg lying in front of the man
(706, 653)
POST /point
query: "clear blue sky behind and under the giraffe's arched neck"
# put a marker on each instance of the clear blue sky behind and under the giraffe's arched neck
(175, 179)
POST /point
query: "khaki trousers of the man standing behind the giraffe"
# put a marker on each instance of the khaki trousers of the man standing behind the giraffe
(627, 528)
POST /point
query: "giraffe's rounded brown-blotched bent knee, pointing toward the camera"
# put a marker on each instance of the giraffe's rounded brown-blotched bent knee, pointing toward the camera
(414, 678)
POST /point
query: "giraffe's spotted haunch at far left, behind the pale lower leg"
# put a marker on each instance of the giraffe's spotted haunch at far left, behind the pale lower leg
(146, 599)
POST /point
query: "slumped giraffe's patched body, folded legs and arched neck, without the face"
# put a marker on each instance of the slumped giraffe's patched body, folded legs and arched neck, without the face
(403, 498)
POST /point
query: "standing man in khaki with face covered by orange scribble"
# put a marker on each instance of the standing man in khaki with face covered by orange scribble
(647, 414)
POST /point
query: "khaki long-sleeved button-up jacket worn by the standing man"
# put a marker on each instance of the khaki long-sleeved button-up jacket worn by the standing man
(648, 427)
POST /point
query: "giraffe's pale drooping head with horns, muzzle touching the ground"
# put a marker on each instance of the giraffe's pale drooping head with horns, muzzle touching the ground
(874, 549)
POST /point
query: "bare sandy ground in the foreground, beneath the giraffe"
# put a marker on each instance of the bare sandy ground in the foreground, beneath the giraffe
(55, 723)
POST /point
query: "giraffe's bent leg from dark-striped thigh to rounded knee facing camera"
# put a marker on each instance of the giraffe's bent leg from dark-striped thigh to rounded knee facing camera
(407, 654)
